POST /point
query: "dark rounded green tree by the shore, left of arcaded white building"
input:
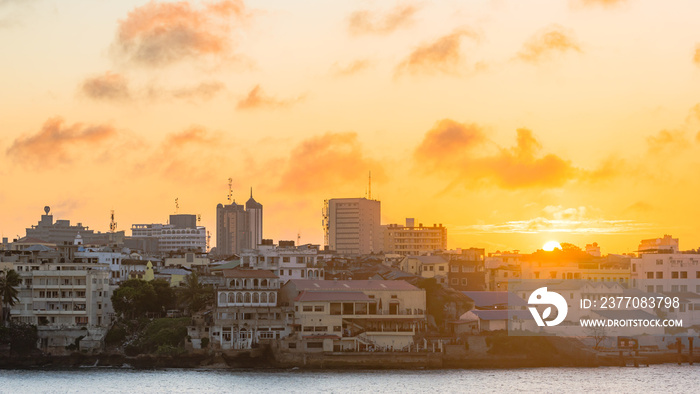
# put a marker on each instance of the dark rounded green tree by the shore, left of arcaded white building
(137, 298)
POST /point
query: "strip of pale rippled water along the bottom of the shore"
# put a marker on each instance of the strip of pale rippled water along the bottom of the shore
(657, 378)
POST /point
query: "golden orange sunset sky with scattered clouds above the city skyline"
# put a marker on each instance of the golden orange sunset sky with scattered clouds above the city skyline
(511, 122)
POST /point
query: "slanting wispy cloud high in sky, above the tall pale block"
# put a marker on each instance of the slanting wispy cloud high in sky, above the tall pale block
(440, 56)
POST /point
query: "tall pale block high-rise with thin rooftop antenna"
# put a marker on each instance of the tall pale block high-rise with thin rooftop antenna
(353, 225)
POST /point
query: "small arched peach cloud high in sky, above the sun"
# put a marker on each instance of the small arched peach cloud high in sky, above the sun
(547, 43)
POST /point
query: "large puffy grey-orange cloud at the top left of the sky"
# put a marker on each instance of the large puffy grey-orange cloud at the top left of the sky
(159, 34)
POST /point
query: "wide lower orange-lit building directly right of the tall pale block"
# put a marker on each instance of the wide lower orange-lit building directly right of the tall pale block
(410, 239)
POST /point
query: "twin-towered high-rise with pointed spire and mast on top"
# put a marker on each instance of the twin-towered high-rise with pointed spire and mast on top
(238, 227)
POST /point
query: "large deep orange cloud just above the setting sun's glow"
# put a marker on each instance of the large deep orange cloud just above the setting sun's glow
(451, 148)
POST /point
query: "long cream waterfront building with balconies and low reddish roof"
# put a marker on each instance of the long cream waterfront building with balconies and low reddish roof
(341, 315)
